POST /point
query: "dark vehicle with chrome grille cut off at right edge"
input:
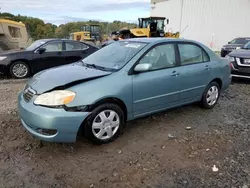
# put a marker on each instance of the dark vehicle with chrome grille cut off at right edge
(240, 62)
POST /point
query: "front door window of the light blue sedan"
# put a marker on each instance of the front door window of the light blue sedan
(160, 57)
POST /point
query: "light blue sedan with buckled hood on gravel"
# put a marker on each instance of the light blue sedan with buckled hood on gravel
(125, 80)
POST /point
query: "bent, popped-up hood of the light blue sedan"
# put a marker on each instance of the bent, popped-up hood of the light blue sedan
(63, 77)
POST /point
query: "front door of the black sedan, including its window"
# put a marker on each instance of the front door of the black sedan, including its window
(51, 57)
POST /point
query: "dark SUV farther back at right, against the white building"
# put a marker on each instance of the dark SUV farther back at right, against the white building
(235, 44)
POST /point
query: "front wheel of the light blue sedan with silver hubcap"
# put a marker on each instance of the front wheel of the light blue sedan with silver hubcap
(100, 128)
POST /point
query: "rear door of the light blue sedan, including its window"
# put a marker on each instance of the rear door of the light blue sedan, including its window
(195, 71)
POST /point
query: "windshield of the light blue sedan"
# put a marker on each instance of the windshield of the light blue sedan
(115, 55)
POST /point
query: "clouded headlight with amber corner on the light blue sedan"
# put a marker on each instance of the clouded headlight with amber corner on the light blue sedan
(55, 98)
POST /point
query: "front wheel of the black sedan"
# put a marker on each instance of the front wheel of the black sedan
(19, 70)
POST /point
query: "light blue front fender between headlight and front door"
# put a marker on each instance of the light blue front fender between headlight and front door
(117, 85)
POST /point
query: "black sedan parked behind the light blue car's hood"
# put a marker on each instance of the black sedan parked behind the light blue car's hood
(43, 54)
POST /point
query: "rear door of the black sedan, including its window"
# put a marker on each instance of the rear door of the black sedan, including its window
(75, 51)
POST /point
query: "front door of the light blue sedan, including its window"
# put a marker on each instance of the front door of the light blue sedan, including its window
(158, 88)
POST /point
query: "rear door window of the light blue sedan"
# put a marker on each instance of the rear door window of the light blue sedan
(191, 54)
